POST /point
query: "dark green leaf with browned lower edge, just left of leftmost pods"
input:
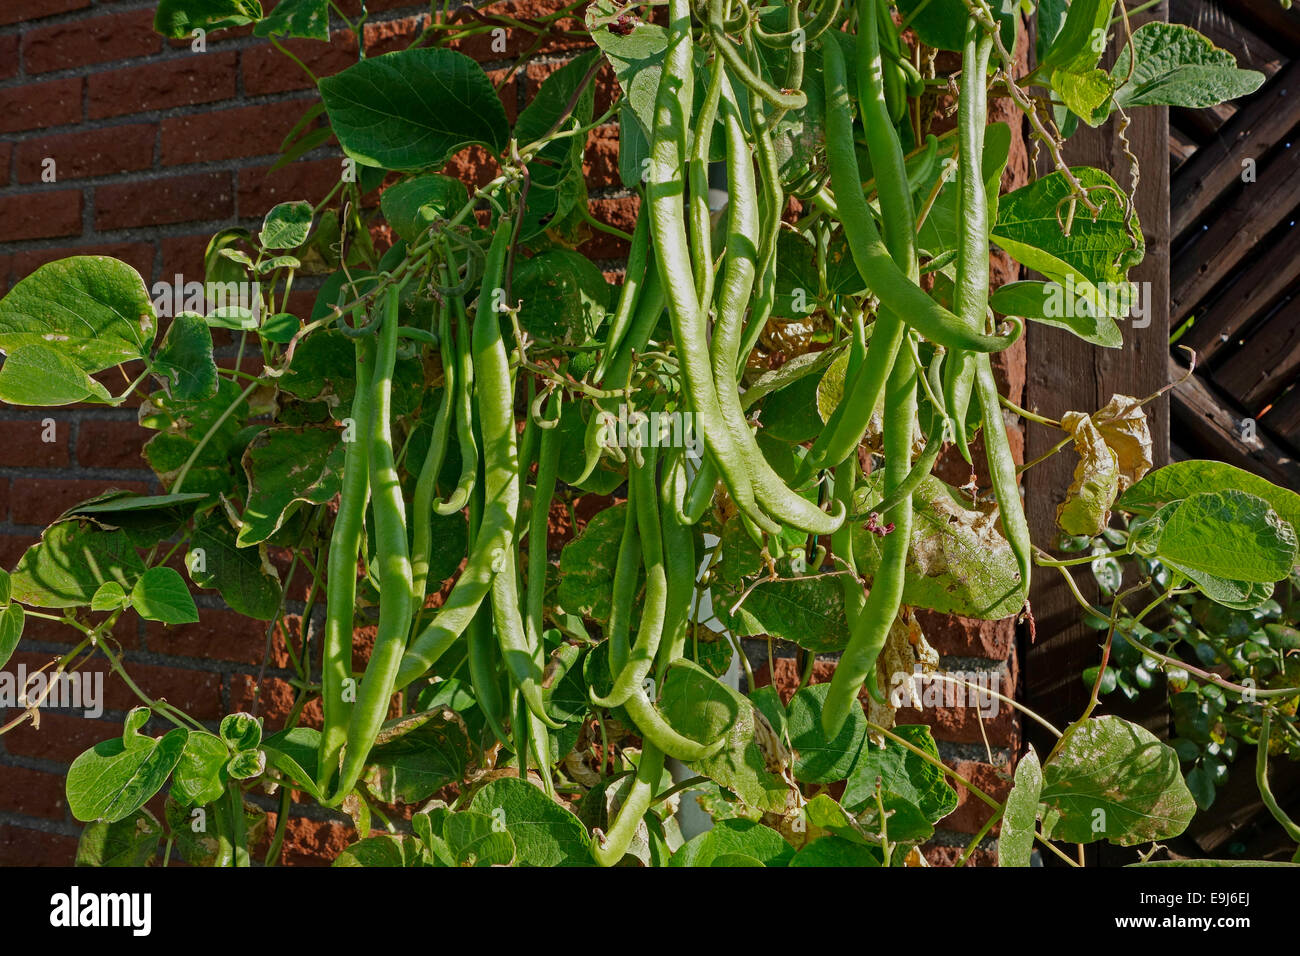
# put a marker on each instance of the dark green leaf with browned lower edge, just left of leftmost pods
(287, 465)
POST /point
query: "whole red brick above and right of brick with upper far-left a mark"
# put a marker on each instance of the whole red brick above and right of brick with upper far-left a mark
(200, 79)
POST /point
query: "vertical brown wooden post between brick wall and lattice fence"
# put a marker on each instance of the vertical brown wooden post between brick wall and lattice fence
(1067, 374)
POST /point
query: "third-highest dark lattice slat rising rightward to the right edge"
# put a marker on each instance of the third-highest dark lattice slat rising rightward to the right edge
(1275, 270)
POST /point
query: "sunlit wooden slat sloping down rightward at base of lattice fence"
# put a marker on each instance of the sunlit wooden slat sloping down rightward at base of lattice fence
(1208, 427)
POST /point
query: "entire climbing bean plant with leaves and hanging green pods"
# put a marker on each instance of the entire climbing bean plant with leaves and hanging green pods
(525, 479)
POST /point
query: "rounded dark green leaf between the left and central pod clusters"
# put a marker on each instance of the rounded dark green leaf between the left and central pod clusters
(564, 297)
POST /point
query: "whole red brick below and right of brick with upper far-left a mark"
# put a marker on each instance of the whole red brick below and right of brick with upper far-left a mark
(193, 198)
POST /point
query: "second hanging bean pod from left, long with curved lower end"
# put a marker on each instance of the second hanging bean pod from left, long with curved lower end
(393, 563)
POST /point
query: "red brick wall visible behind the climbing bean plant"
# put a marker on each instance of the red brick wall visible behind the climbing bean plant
(157, 148)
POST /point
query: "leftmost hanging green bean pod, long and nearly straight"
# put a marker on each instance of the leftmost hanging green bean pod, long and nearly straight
(346, 540)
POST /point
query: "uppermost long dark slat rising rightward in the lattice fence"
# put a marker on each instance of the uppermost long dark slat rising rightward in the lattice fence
(1260, 126)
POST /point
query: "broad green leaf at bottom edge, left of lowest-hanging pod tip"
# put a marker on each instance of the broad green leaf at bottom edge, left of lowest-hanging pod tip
(545, 833)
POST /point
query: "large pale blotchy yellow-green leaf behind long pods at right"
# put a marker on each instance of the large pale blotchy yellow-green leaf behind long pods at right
(959, 561)
